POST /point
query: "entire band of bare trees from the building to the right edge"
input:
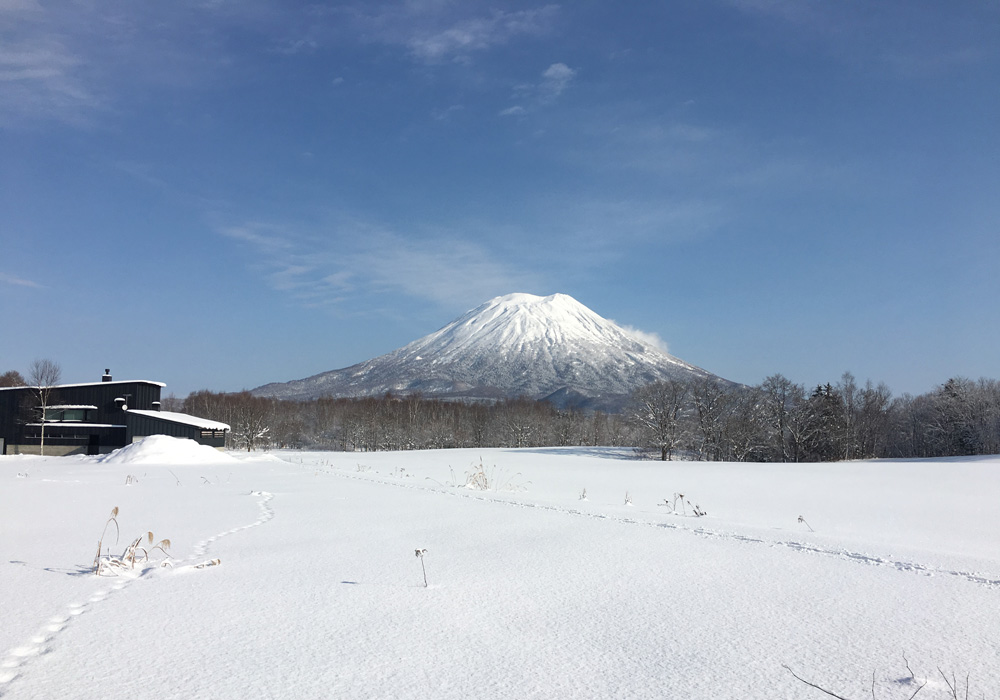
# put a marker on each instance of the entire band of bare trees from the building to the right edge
(775, 421)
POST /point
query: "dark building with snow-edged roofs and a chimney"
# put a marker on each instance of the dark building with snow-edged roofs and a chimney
(95, 418)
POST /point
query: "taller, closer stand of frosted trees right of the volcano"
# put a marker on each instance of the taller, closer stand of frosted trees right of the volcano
(780, 421)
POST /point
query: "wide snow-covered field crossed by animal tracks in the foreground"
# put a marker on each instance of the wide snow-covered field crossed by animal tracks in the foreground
(533, 591)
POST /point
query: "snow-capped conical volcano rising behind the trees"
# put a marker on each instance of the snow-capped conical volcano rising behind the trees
(550, 347)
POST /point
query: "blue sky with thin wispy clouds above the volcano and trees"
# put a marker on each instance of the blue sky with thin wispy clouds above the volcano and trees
(221, 194)
